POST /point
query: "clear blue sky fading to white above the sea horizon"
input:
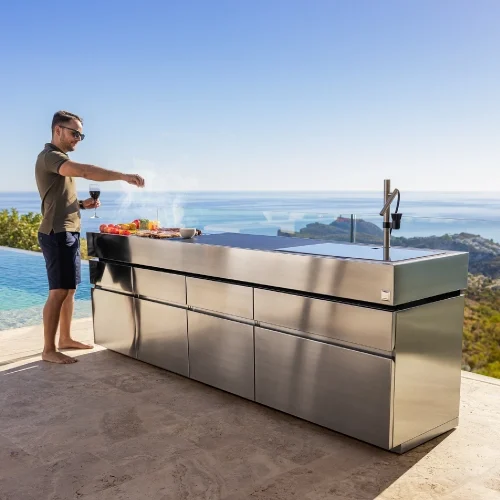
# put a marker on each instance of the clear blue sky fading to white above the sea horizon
(258, 94)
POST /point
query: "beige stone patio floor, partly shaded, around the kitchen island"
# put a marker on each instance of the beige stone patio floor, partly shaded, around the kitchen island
(109, 427)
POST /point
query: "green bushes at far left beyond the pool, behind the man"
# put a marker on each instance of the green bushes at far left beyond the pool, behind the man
(21, 231)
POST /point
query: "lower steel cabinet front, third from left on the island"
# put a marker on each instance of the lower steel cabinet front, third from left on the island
(221, 353)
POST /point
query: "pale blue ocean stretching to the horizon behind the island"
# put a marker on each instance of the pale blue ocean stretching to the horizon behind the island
(424, 214)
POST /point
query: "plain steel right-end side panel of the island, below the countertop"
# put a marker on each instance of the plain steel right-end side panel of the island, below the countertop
(428, 367)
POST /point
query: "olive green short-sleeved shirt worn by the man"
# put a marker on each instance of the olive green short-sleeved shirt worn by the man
(60, 207)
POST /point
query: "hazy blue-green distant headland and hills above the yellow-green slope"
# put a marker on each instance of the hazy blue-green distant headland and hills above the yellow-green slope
(484, 254)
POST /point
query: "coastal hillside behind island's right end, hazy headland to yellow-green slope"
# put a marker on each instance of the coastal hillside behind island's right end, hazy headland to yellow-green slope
(481, 337)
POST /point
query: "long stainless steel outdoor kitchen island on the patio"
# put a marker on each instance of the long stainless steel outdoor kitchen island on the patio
(335, 334)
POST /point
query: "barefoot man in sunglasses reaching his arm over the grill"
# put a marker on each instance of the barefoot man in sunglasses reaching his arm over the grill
(59, 233)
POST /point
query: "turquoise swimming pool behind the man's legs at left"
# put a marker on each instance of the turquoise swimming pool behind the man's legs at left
(24, 288)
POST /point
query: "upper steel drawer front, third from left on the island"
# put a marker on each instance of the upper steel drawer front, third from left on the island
(220, 297)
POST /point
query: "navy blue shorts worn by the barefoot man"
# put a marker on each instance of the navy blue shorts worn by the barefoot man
(62, 259)
